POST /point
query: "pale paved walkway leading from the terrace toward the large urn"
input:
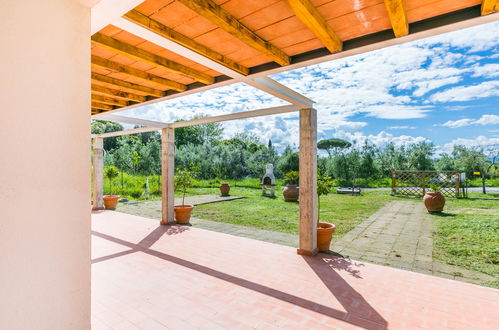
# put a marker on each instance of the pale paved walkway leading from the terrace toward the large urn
(400, 235)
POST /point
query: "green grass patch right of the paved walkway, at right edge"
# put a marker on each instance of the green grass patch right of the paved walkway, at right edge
(467, 235)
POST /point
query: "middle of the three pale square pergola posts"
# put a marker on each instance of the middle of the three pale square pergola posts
(167, 175)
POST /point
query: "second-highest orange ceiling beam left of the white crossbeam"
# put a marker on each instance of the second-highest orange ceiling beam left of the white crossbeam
(132, 72)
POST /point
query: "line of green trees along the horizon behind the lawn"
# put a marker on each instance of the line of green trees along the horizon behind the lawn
(245, 155)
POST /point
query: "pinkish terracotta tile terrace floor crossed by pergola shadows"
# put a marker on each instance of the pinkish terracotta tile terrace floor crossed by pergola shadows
(147, 276)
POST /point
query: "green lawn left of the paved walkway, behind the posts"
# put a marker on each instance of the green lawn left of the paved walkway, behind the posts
(344, 211)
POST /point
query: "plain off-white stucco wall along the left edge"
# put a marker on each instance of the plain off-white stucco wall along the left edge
(44, 165)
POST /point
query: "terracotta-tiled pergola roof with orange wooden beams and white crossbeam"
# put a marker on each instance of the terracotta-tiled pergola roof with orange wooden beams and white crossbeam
(160, 49)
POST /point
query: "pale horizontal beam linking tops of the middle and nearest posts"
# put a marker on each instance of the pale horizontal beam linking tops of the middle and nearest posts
(237, 115)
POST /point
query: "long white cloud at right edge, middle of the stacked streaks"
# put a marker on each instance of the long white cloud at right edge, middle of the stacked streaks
(467, 93)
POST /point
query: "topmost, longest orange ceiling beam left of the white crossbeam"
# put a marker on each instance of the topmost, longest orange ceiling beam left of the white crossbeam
(142, 55)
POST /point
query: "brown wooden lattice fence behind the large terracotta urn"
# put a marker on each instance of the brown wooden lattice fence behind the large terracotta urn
(416, 183)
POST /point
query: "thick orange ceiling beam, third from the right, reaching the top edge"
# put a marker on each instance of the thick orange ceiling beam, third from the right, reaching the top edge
(310, 16)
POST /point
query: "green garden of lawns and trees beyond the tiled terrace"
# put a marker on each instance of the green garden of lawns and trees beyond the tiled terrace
(465, 234)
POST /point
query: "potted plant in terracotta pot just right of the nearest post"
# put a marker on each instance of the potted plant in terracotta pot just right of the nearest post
(324, 230)
